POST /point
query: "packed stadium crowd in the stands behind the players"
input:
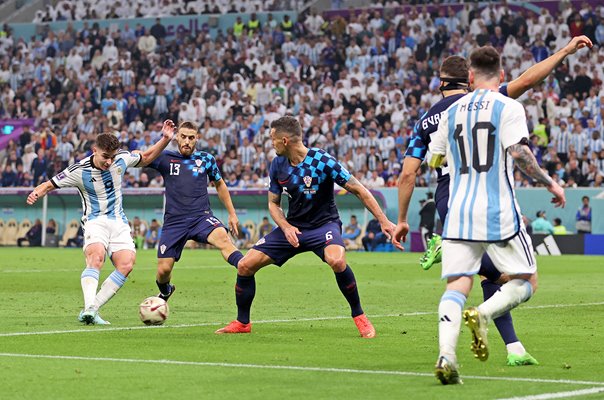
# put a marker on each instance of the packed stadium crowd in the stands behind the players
(358, 84)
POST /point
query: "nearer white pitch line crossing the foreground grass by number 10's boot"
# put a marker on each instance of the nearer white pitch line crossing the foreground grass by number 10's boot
(293, 368)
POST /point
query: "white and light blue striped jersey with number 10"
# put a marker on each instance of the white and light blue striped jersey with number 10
(475, 133)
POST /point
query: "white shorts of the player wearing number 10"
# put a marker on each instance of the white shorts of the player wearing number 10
(513, 257)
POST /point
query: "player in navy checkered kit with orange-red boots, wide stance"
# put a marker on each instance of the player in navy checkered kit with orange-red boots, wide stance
(306, 176)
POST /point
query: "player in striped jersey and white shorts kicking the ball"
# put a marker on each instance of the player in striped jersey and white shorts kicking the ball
(98, 178)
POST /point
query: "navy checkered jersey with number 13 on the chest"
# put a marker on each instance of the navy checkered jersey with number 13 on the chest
(186, 181)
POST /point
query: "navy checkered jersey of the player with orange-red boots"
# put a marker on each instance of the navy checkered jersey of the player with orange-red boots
(309, 187)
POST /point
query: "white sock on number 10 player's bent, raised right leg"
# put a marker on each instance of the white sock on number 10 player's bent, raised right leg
(510, 295)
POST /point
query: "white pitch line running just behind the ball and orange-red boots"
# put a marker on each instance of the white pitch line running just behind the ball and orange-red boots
(268, 321)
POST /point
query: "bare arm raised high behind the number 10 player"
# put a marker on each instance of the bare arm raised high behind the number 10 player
(540, 71)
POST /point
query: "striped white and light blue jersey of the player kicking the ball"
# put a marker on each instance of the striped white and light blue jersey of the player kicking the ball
(101, 191)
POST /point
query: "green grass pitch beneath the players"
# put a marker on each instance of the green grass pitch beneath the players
(303, 344)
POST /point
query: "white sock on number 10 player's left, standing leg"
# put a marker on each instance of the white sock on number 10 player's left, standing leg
(449, 315)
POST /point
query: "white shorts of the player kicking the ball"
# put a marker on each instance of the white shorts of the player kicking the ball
(114, 234)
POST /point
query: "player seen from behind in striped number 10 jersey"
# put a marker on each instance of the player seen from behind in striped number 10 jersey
(482, 134)
